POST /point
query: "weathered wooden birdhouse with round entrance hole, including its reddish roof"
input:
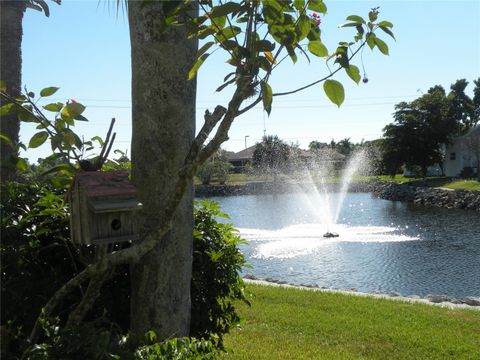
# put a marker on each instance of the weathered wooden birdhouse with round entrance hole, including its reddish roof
(102, 208)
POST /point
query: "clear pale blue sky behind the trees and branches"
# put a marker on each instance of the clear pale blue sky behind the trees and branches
(84, 48)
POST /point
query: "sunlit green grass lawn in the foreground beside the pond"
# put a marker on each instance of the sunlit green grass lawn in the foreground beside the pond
(288, 323)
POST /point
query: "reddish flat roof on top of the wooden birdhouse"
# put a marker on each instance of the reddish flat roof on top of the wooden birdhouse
(98, 184)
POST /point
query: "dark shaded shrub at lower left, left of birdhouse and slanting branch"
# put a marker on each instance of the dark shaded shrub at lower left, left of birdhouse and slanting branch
(34, 250)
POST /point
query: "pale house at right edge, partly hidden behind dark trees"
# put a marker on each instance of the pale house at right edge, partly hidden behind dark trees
(463, 152)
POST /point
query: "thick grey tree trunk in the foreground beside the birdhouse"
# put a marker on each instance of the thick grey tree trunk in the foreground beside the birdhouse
(163, 127)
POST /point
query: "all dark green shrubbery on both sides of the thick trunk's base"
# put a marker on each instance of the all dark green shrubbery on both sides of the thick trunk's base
(35, 250)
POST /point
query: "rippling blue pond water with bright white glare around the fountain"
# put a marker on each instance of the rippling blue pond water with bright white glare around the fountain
(382, 245)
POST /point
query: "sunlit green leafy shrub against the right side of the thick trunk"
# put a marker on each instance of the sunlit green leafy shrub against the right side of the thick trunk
(216, 281)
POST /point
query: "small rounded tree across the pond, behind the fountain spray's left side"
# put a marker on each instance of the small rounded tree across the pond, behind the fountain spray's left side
(271, 156)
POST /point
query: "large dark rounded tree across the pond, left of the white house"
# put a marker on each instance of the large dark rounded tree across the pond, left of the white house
(416, 136)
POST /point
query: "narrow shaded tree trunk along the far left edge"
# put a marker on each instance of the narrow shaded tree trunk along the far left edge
(11, 16)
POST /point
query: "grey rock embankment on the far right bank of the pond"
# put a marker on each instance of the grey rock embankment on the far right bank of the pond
(426, 196)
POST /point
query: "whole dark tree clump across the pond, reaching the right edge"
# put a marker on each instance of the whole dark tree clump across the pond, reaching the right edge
(423, 126)
